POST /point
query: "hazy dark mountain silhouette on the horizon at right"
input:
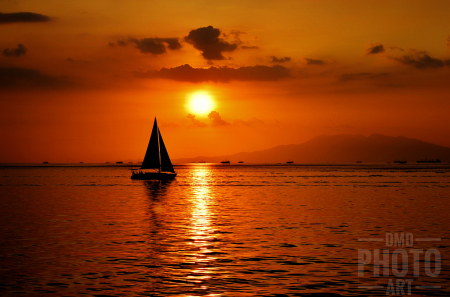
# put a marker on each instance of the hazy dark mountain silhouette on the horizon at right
(343, 148)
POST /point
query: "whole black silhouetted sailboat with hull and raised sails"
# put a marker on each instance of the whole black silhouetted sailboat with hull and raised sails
(156, 157)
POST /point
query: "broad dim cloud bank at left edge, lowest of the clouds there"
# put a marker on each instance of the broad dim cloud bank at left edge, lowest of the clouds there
(24, 78)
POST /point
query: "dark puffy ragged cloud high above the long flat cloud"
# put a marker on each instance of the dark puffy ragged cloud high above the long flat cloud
(207, 41)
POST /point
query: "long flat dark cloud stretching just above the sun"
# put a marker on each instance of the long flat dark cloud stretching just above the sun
(220, 74)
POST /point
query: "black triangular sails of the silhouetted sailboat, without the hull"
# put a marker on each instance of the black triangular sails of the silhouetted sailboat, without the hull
(156, 156)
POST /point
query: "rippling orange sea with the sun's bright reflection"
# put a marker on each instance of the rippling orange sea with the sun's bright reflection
(226, 230)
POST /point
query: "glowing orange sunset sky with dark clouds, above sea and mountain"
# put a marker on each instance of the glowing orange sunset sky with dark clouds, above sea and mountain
(83, 80)
